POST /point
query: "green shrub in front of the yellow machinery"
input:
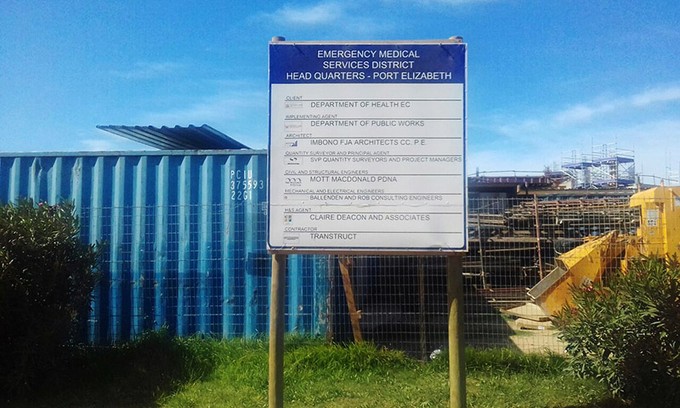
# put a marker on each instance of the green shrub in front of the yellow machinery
(627, 334)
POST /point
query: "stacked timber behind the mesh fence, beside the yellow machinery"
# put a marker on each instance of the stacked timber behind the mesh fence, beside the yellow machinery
(517, 246)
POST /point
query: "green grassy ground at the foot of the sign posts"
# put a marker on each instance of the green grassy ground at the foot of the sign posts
(160, 371)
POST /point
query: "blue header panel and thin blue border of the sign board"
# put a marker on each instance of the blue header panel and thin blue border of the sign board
(436, 62)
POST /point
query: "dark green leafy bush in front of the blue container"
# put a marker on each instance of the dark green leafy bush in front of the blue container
(46, 278)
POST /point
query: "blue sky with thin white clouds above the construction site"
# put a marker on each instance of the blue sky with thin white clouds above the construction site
(546, 79)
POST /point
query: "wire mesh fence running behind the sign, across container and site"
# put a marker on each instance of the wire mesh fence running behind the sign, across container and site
(205, 269)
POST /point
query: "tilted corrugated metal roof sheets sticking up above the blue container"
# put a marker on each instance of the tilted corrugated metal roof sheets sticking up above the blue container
(177, 138)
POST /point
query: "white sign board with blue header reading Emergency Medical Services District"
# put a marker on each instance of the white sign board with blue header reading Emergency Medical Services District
(367, 147)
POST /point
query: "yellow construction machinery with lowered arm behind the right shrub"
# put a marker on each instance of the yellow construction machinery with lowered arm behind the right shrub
(658, 234)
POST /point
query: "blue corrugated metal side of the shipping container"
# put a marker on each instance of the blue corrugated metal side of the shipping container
(183, 237)
